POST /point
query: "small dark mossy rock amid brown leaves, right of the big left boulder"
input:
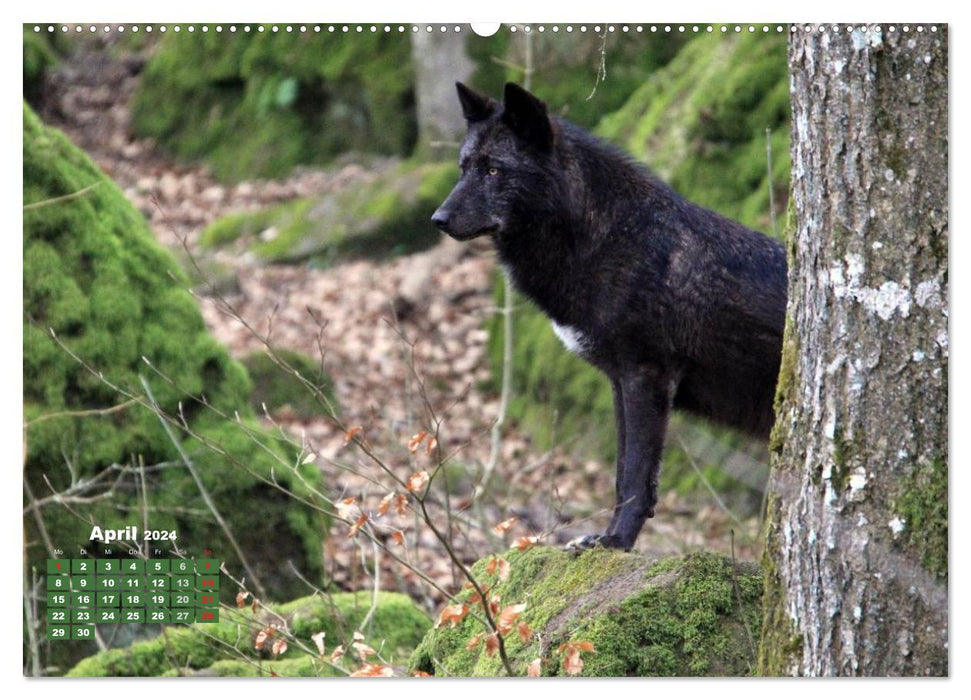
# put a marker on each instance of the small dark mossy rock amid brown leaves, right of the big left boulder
(275, 386)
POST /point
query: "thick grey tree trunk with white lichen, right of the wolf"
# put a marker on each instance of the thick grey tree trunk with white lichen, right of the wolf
(856, 533)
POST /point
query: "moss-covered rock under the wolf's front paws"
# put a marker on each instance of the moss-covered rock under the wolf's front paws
(695, 615)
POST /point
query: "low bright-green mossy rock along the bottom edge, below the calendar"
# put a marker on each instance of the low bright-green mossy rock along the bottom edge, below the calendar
(227, 648)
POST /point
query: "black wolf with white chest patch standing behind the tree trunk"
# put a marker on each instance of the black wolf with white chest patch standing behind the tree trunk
(678, 306)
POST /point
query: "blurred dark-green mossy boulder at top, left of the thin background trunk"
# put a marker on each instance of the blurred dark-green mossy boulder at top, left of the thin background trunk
(259, 103)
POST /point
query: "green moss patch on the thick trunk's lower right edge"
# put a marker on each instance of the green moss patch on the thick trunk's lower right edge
(922, 505)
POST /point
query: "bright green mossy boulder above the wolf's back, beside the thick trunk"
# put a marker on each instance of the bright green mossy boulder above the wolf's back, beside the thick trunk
(700, 123)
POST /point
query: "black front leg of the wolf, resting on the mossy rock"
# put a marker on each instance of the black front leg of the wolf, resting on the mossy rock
(642, 401)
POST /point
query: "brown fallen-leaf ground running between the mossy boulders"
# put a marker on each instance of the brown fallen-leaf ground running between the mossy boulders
(389, 374)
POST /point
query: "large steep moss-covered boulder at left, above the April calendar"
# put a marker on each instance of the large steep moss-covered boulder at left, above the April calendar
(98, 287)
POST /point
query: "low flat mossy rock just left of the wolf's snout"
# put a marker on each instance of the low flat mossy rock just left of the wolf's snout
(387, 216)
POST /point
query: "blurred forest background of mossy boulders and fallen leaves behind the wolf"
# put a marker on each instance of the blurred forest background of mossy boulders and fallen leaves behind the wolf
(231, 230)
